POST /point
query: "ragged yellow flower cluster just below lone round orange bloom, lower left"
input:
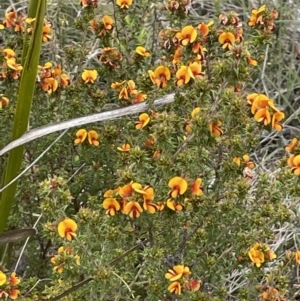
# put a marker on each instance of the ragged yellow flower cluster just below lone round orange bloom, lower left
(64, 257)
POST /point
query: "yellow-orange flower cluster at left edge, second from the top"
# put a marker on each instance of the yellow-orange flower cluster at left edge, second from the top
(10, 67)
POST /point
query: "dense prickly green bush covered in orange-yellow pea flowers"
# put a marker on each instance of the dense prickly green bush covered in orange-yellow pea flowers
(177, 202)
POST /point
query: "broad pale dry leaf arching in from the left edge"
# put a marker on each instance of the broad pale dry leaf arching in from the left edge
(103, 116)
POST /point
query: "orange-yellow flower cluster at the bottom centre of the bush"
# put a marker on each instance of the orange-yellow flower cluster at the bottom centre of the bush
(179, 276)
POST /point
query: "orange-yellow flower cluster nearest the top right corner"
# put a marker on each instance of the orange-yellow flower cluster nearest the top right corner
(263, 18)
